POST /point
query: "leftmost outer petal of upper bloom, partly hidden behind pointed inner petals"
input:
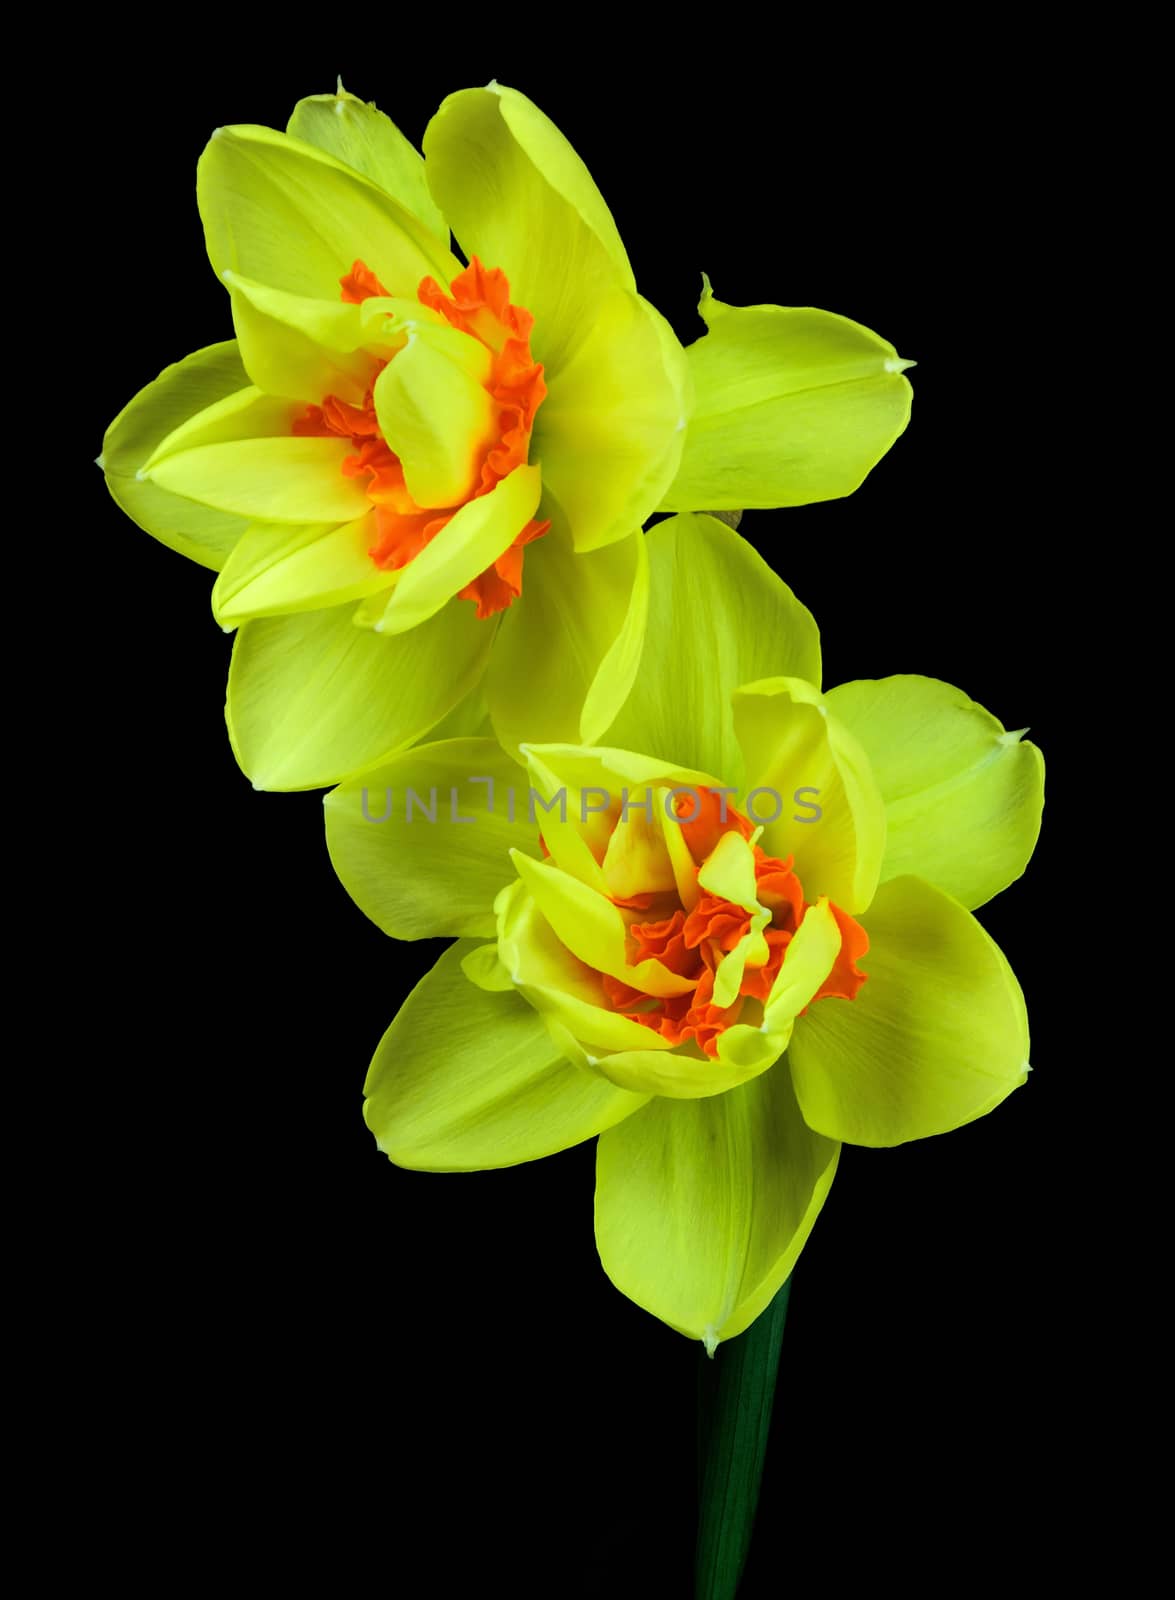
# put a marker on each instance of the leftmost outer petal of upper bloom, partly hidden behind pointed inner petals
(178, 394)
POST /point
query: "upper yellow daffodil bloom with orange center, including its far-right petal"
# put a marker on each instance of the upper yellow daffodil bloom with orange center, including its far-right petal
(414, 476)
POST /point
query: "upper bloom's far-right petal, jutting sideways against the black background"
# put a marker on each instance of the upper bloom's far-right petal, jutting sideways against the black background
(792, 406)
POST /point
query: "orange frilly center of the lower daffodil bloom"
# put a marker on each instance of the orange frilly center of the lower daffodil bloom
(692, 943)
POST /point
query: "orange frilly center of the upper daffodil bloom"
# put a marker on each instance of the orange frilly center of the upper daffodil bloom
(479, 306)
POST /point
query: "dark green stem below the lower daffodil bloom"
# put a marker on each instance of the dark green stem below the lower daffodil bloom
(736, 1398)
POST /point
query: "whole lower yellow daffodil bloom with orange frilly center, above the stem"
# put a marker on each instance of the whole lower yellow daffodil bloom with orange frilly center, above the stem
(726, 942)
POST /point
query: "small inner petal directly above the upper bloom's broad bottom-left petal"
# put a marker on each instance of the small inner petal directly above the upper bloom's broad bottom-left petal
(283, 567)
